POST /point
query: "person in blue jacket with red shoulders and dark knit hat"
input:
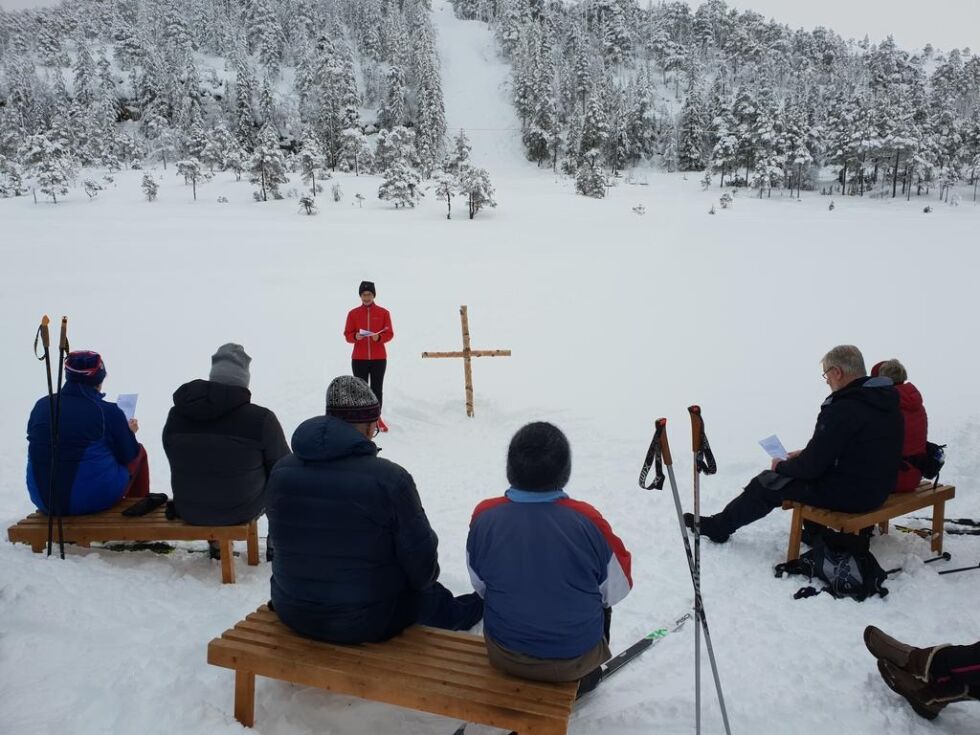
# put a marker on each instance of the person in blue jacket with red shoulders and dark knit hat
(549, 568)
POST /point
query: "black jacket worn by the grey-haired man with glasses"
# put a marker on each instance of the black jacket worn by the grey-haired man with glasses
(853, 458)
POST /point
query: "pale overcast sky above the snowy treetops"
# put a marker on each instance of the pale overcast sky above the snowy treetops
(944, 23)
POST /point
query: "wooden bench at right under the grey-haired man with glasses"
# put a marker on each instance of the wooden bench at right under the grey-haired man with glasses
(897, 504)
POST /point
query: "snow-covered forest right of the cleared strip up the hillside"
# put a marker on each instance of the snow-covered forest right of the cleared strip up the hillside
(610, 83)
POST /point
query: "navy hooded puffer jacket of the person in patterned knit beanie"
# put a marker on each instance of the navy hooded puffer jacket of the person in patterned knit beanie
(353, 544)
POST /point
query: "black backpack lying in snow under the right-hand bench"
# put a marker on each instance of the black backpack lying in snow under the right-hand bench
(844, 561)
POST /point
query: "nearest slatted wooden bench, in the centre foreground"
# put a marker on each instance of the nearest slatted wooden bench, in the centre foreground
(425, 669)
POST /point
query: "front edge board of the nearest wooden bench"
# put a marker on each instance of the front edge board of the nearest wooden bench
(377, 684)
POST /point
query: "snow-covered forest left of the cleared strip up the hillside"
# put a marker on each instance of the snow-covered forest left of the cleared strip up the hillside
(256, 87)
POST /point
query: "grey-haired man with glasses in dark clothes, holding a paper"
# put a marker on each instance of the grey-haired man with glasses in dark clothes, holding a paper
(849, 464)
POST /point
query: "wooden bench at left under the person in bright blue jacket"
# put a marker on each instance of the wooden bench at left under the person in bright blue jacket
(112, 525)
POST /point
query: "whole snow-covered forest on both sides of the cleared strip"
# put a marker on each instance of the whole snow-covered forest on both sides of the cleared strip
(263, 86)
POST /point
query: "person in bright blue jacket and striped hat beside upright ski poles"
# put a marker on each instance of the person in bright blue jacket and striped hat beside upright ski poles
(99, 459)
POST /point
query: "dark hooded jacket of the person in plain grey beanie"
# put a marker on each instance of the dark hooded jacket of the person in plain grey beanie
(222, 449)
